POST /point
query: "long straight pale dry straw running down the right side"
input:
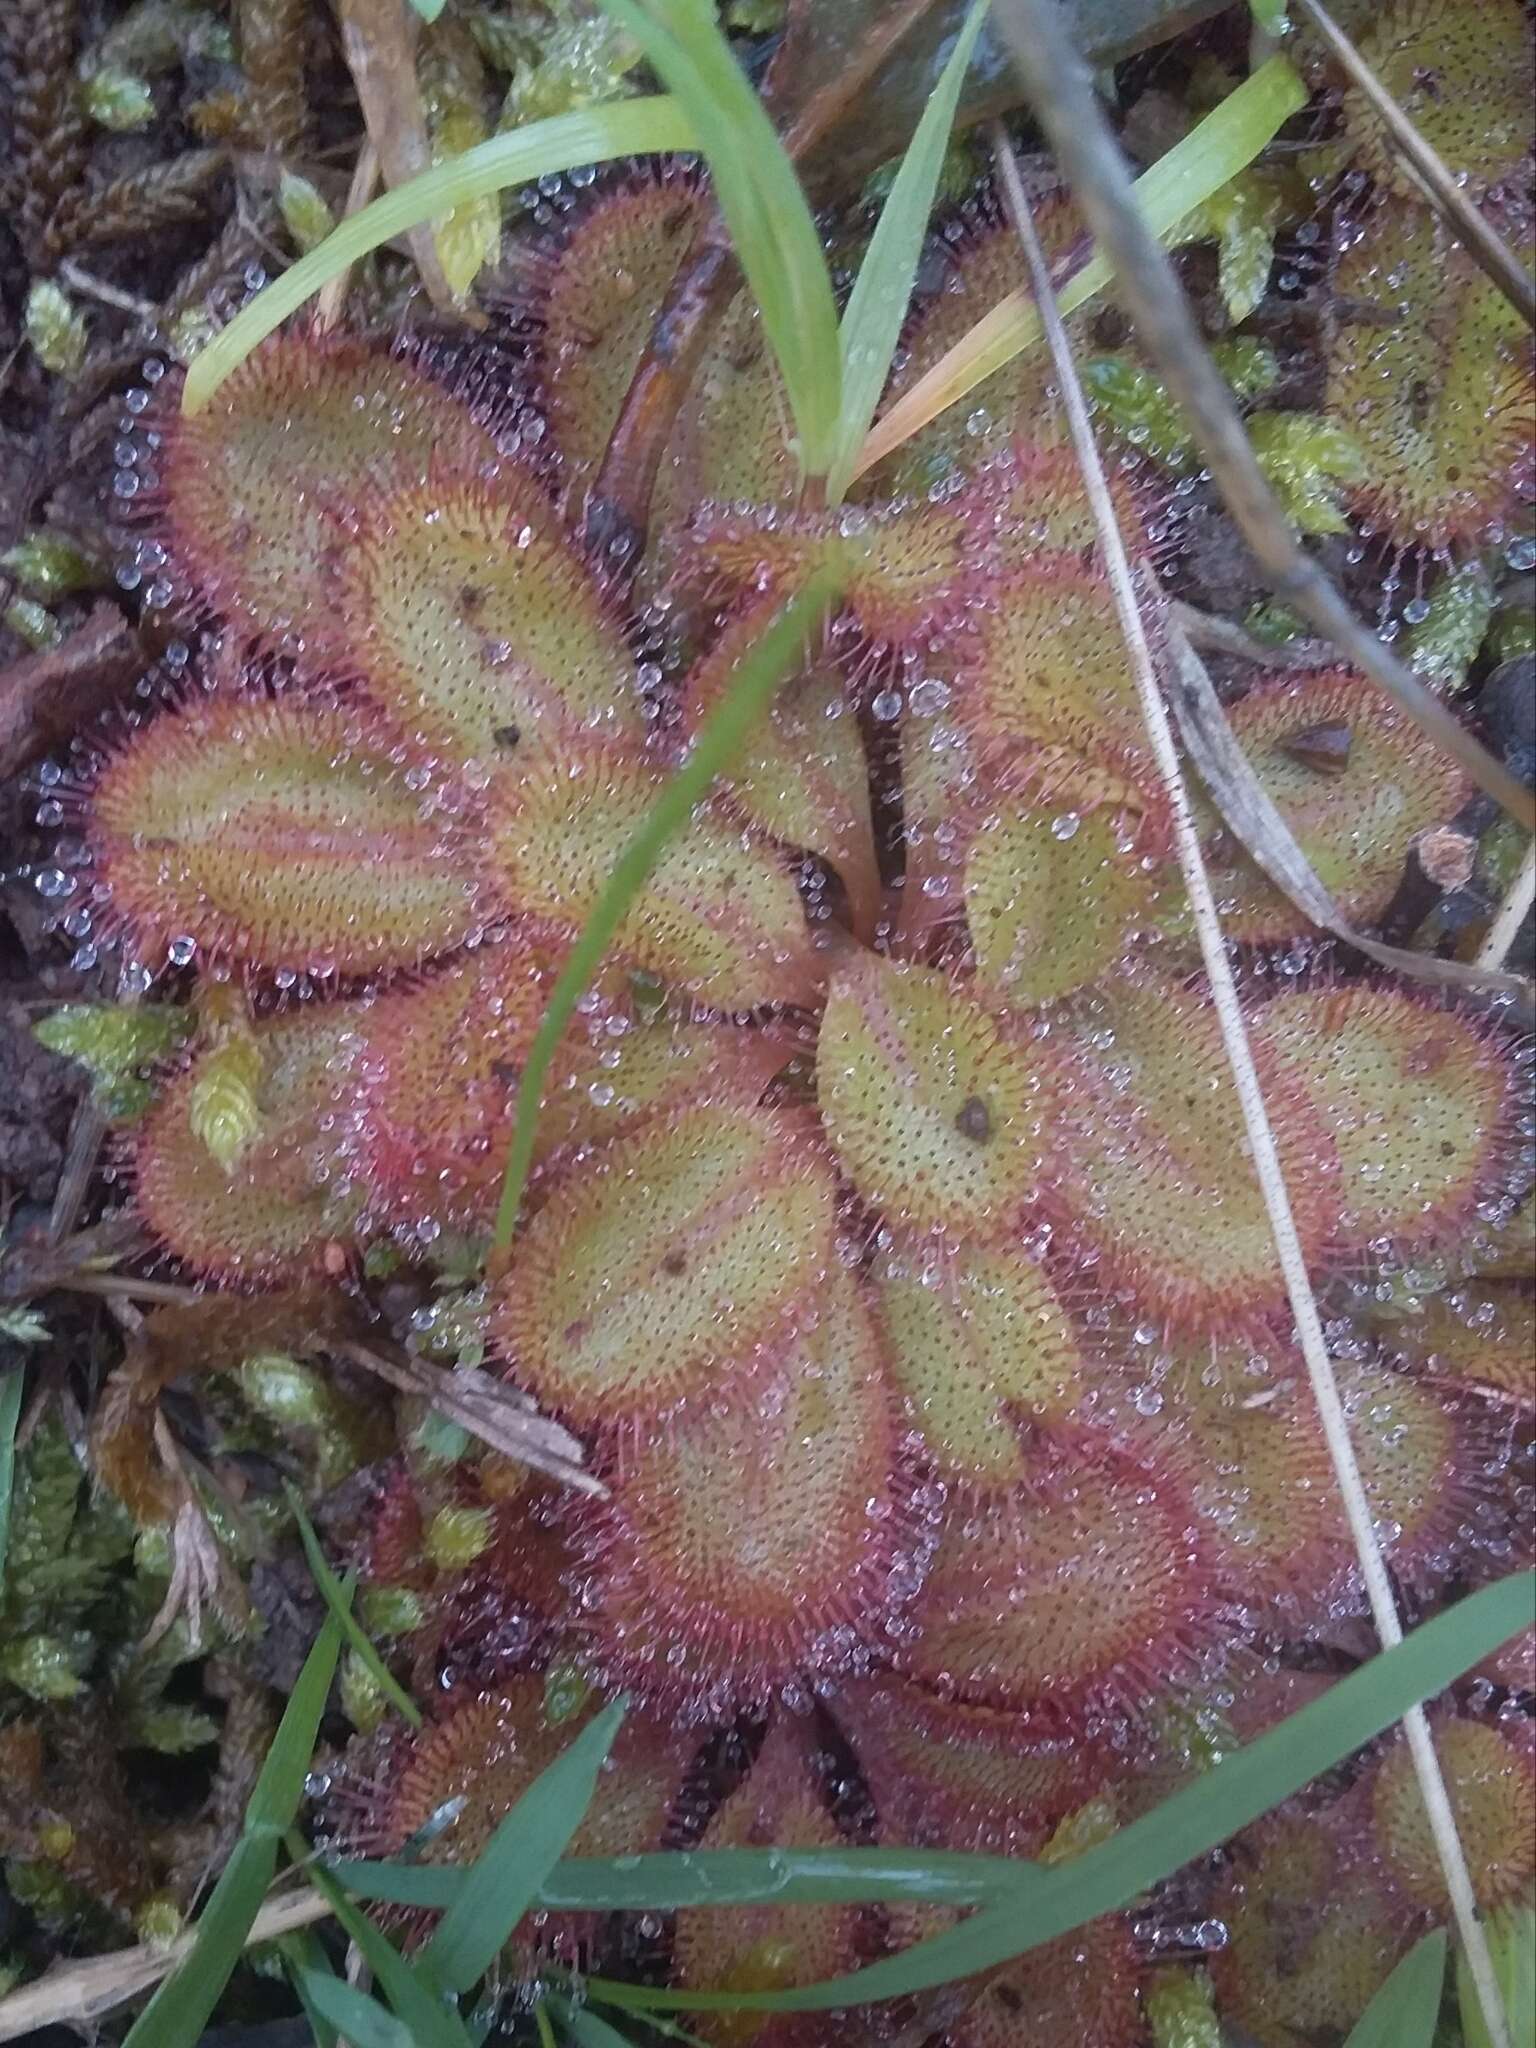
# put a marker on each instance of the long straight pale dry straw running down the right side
(1029, 17)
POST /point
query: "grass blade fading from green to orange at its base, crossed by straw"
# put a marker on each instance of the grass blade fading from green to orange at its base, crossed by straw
(1197, 167)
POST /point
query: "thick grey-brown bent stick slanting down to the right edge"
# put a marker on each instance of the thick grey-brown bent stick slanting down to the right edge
(1062, 93)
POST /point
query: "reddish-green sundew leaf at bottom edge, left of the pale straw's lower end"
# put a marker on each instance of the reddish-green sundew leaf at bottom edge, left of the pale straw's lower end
(1312, 1932)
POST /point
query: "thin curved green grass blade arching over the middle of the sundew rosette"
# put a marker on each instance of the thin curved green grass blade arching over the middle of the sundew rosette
(718, 744)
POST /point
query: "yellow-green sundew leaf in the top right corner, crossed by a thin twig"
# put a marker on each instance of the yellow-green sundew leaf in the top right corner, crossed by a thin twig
(1461, 73)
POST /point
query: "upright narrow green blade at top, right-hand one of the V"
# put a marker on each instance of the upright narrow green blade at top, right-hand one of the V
(882, 294)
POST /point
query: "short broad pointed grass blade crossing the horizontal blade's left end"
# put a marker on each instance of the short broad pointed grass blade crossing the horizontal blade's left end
(525, 1848)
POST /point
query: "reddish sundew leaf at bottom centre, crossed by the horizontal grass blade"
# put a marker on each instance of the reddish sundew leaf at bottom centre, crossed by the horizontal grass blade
(767, 1949)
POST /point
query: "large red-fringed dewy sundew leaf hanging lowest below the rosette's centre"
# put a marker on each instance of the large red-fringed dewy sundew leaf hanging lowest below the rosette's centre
(757, 1533)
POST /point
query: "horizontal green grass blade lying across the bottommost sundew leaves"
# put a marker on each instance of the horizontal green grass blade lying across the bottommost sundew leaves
(665, 1881)
